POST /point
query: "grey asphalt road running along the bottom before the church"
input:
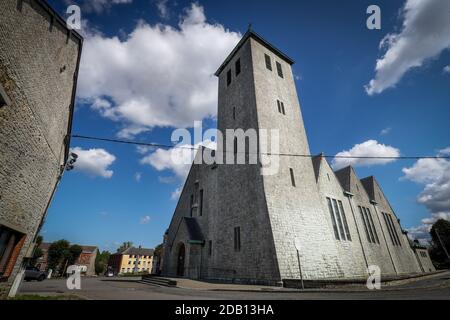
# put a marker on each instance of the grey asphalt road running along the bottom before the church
(101, 289)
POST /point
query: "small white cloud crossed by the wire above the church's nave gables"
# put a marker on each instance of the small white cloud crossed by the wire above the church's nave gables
(369, 148)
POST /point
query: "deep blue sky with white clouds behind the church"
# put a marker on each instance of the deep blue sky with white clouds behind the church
(147, 69)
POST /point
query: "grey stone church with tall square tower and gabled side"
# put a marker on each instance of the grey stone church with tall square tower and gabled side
(233, 223)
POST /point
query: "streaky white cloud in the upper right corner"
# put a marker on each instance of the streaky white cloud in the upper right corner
(425, 33)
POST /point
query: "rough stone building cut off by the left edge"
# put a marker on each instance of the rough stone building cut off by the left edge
(39, 59)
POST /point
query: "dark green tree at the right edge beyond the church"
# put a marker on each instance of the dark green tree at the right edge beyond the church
(440, 244)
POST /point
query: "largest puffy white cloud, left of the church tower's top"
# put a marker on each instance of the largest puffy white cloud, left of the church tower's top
(158, 76)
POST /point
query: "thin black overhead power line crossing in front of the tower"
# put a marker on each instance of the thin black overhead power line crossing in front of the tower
(167, 146)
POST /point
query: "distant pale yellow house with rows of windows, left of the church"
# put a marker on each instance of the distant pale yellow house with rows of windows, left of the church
(132, 260)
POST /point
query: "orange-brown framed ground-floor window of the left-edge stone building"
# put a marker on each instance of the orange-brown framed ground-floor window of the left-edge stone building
(11, 243)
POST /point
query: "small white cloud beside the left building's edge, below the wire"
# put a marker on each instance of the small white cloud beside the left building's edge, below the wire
(94, 162)
